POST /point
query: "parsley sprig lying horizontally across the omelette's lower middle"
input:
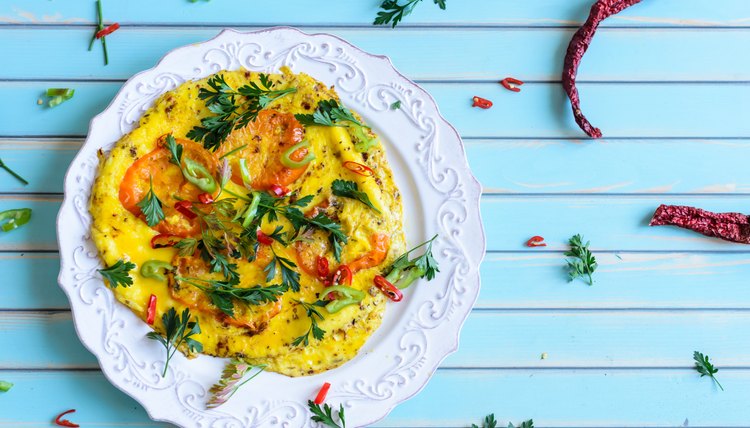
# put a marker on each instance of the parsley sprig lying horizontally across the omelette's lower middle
(223, 294)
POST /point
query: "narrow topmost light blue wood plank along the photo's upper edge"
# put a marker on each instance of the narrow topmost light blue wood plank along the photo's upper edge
(467, 12)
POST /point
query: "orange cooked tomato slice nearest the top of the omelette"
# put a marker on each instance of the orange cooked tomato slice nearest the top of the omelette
(267, 139)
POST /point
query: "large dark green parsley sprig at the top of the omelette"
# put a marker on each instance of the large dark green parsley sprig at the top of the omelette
(232, 109)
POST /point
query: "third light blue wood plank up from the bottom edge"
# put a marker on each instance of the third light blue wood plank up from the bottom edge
(509, 281)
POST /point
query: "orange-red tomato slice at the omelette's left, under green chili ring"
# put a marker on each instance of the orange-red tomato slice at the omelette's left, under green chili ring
(169, 185)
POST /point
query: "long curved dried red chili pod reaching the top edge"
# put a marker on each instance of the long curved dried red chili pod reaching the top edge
(580, 42)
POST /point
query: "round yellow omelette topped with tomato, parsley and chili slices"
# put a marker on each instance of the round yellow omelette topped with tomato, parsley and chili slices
(261, 204)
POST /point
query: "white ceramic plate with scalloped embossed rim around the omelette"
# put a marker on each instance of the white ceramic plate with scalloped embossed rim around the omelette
(440, 195)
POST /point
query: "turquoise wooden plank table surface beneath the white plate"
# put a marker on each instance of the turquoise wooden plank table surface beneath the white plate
(668, 81)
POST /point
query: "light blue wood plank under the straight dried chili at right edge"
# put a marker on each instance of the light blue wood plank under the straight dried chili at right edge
(509, 222)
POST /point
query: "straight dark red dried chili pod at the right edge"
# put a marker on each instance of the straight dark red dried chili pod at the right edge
(733, 227)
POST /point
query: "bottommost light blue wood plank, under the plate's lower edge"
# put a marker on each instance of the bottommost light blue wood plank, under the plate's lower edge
(453, 398)
